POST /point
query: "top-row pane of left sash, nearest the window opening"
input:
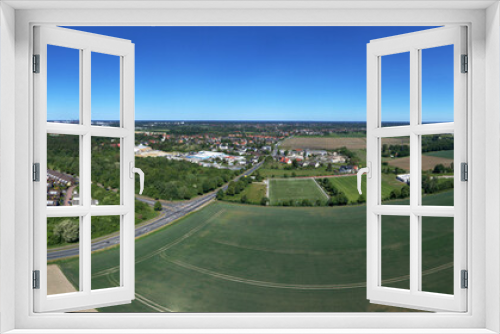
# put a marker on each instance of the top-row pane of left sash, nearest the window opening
(105, 89)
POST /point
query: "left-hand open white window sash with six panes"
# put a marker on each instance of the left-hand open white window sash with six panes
(86, 44)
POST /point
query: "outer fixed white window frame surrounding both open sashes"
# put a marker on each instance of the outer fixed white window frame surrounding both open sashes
(483, 314)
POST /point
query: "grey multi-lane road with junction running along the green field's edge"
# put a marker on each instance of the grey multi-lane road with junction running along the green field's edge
(172, 211)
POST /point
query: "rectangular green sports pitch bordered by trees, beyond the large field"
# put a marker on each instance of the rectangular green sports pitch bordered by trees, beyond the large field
(295, 189)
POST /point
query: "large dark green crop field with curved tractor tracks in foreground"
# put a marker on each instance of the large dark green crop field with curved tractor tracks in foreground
(242, 258)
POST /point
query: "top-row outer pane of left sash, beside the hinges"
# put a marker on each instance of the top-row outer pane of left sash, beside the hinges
(63, 84)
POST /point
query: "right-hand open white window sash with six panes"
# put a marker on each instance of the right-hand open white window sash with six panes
(414, 43)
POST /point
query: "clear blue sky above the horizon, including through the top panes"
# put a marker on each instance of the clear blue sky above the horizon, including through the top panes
(250, 73)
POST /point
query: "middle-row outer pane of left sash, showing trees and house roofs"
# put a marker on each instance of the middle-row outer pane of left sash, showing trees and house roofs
(63, 166)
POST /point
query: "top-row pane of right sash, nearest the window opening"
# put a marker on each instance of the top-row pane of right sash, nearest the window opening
(395, 89)
